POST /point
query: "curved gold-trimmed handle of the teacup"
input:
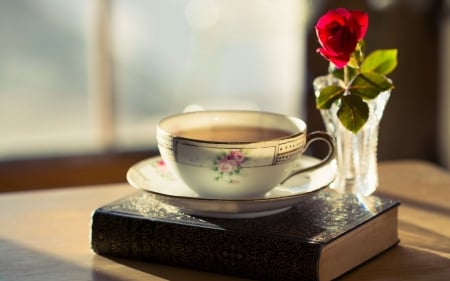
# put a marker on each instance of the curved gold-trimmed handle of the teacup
(310, 138)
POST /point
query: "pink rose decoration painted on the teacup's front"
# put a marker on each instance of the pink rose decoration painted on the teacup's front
(228, 166)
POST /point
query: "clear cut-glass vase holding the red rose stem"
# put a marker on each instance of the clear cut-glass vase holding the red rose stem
(356, 154)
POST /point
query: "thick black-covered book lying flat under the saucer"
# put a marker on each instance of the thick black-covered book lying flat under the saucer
(320, 238)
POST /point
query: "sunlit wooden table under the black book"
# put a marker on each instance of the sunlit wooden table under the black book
(44, 235)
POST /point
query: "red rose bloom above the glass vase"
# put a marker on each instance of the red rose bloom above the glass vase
(339, 31)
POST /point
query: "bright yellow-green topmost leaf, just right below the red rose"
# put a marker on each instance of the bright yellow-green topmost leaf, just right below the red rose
(380, 61)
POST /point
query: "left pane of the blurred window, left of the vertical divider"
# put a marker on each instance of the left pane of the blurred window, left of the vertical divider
(44, 98)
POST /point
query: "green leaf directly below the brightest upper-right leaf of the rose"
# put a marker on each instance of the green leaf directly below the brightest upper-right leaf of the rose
(369, 84)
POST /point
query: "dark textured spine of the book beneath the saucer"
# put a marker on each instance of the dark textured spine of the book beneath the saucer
(209, 249)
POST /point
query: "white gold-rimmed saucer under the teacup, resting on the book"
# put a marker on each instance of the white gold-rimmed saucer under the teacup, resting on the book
(153, 176)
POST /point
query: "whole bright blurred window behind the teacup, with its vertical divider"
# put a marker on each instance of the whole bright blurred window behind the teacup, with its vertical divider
(87, 76)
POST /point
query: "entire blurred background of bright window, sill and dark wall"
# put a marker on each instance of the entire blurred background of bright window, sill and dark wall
(83, 83)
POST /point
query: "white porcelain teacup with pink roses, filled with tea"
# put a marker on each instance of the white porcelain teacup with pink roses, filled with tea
(235, 154)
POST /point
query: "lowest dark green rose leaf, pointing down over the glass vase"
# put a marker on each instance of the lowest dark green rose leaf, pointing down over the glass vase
(353, 112)
